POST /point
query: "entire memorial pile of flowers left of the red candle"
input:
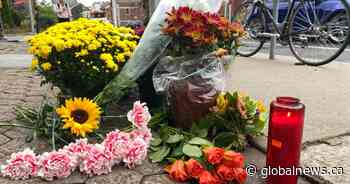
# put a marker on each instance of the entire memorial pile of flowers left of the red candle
(81, 57)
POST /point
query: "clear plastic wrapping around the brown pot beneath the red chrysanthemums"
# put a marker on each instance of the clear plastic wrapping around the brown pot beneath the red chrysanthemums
(191, 85)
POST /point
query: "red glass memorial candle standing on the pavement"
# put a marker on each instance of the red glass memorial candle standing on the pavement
(285, 138)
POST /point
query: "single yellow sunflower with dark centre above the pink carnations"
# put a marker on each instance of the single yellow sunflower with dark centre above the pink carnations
(79, 115)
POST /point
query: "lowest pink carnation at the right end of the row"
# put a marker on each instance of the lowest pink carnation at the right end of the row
(136, 152)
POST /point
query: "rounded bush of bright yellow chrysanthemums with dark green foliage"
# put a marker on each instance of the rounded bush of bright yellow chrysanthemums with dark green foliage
(82, 56)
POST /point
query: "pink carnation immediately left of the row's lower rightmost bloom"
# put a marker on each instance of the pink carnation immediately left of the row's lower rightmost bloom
(116, 143)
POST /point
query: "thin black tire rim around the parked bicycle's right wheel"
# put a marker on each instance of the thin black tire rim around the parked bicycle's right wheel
(328, 59)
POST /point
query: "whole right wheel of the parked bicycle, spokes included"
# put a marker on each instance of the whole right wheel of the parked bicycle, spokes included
(318, 32)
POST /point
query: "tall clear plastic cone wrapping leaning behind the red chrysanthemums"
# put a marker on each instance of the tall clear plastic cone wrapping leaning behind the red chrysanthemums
(151, 47)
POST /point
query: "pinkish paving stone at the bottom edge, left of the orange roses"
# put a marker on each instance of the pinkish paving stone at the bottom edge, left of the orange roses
(119, 175)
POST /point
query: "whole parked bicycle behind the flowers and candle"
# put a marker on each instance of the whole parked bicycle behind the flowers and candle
(315, 36)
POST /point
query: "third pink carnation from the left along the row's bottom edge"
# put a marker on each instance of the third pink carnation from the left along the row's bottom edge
(97, 161)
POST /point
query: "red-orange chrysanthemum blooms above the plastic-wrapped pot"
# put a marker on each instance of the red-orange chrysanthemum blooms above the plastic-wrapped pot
(193, 31)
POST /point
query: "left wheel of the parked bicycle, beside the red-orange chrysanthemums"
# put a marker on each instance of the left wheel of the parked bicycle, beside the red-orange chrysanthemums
(253, 21)
